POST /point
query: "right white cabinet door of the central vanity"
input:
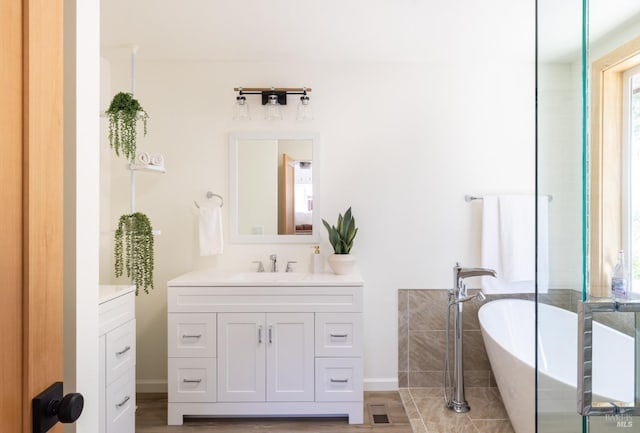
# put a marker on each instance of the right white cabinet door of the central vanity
(290, 357)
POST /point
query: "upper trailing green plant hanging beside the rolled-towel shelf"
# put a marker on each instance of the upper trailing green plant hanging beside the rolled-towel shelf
(123, 114)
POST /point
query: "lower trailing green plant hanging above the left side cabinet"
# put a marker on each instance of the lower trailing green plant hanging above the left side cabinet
(134, 250)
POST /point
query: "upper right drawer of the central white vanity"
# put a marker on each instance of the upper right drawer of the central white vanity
(338, 334)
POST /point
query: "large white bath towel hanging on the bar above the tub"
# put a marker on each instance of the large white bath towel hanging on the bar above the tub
(508, 243)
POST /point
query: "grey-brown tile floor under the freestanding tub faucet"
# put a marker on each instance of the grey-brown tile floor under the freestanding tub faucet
(425, 408)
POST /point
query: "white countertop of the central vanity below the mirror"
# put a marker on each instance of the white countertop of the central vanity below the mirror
(213, 277)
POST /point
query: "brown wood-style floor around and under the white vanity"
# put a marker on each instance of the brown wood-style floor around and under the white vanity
(151, 417)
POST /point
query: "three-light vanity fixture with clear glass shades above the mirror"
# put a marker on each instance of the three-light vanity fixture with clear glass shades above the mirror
(273, 98)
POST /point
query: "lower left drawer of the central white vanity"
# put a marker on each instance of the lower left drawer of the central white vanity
(192, 380)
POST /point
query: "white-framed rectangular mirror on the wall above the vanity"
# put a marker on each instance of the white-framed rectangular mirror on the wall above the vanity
(274, 187)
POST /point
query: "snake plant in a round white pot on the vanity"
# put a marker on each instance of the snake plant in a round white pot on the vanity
(341, 237)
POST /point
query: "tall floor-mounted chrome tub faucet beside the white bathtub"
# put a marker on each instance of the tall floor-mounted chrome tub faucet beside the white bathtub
(457, 296)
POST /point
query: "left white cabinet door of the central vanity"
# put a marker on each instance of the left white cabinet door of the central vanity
(241, 357)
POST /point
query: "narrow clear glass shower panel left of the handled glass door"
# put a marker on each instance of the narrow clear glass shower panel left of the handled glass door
(559, 174)
